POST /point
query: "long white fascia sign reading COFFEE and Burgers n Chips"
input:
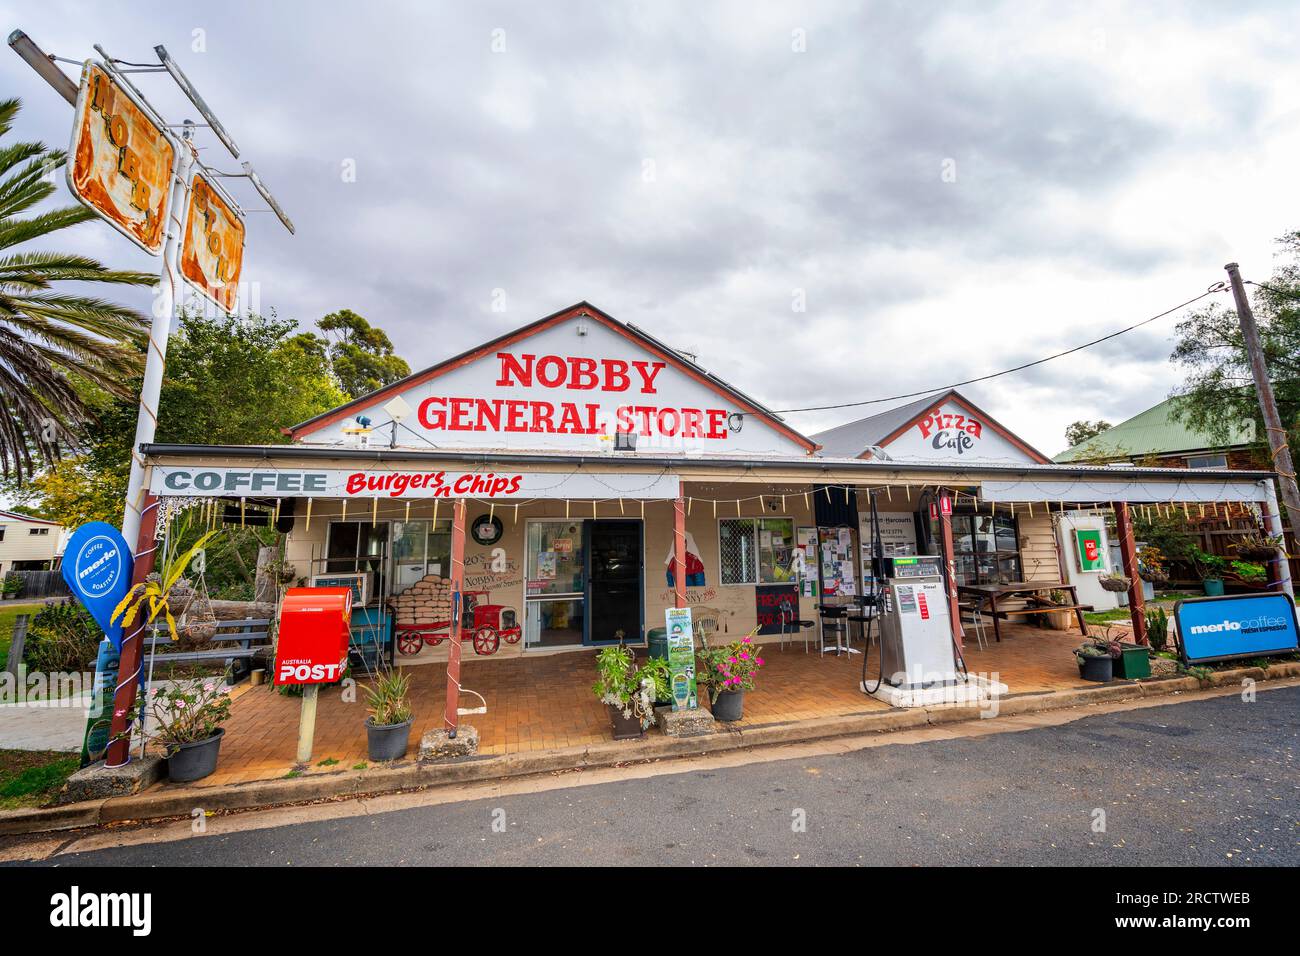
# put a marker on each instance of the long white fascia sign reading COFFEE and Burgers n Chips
(405, 485)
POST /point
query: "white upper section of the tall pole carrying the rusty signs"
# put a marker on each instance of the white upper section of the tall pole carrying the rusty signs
(164, 319)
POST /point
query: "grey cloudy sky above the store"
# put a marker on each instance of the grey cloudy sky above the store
(950, 189)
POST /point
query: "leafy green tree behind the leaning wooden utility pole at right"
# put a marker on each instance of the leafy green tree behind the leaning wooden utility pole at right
(1220, 390)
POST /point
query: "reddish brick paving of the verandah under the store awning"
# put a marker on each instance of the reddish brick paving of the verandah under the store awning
(544, 702)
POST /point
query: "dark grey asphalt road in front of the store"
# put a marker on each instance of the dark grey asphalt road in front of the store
(1210, 782)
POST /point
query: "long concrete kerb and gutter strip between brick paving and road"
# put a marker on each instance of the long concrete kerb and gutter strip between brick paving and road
(162, 803)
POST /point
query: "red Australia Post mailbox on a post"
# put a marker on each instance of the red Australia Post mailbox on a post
(314, 634)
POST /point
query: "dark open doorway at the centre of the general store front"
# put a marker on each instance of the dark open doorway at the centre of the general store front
(616, 586)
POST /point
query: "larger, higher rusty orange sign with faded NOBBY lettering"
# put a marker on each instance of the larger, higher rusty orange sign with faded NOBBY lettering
(120, 161)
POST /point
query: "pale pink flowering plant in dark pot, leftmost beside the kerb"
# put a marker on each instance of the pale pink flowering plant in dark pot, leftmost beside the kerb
(188, 717)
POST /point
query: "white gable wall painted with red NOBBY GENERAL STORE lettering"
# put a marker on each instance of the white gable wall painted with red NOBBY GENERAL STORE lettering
(558, 390)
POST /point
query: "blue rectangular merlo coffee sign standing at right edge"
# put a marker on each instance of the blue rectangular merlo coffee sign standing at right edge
(1221, 629)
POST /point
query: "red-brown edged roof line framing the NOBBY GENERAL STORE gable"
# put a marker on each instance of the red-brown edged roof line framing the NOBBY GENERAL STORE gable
(582, 309)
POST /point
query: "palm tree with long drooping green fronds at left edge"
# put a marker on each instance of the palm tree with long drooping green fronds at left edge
(54, 343)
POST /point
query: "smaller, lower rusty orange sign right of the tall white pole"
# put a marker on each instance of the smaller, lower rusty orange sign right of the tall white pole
(213, 254)
